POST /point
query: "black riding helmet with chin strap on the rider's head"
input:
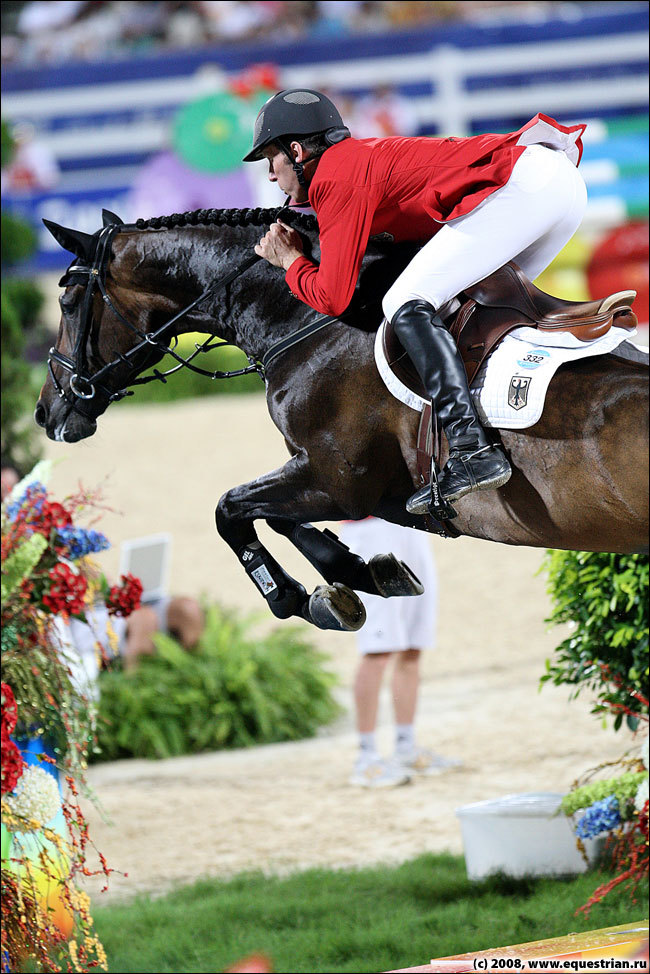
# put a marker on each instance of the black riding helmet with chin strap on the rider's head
(296, 111)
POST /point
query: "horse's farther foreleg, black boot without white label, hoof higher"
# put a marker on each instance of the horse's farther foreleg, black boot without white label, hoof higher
(383, 575)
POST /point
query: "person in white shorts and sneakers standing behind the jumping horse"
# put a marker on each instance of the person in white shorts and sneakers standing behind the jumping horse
(398, 628)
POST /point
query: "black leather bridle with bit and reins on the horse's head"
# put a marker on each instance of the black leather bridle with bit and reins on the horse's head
(84, 386)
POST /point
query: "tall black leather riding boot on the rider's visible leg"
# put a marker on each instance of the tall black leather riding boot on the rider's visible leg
(474, 463)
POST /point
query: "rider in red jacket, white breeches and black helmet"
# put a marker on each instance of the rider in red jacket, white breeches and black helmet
(475, 202)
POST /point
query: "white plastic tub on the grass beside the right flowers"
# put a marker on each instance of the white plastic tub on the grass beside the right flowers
(521, 835)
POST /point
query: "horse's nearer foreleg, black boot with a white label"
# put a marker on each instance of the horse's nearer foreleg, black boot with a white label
(285, 494)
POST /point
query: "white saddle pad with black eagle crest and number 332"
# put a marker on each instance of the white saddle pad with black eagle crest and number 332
(510, 388)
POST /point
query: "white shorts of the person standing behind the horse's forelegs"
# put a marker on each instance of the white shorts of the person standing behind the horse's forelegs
(396, 624)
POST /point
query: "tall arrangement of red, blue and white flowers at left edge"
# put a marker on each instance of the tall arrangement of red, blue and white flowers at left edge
(47, 578)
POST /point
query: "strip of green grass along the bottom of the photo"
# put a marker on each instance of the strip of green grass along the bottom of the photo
(373, 919)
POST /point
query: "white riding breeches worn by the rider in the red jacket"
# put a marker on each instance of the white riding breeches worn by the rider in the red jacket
(528, 221)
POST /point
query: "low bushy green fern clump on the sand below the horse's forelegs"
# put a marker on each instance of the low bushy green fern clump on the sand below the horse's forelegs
(233, 690)
